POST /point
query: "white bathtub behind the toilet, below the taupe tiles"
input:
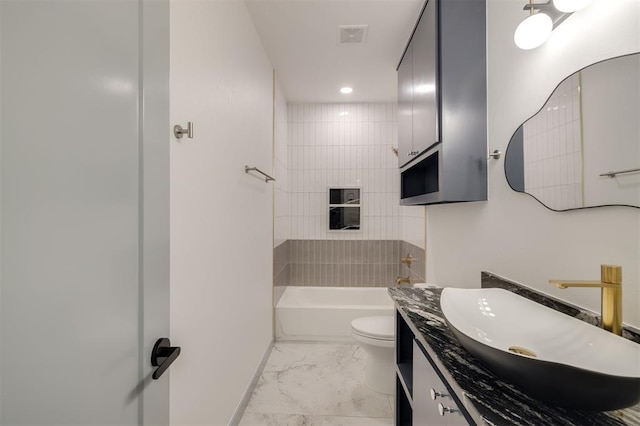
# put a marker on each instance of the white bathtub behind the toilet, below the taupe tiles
(324, 314)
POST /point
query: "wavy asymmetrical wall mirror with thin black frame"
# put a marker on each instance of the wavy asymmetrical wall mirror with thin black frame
(582, 148)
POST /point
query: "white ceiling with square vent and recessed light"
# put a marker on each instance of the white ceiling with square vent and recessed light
(301, 40)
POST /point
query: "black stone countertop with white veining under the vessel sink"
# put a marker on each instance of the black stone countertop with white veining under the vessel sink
(488, 399)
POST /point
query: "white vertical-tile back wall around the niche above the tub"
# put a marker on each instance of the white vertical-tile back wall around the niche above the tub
(343, 145)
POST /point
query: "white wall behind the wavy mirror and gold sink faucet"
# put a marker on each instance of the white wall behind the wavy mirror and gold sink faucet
(512, 234)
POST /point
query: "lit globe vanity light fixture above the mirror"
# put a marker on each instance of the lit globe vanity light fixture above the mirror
(543, 18)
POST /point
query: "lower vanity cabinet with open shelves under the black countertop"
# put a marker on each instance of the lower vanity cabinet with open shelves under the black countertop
(423, 398)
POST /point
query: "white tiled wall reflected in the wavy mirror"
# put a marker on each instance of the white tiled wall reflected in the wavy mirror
(553, 149)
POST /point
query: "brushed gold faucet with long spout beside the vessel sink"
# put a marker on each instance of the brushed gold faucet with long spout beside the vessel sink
(611, 298)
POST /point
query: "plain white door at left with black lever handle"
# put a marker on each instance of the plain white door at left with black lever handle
(84, 136)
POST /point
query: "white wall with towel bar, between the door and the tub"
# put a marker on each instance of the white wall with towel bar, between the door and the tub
(221, 218)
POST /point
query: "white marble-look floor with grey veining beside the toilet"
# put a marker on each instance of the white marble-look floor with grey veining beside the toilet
(316, 384)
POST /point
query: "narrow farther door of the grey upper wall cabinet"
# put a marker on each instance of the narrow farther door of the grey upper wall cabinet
(405, 107)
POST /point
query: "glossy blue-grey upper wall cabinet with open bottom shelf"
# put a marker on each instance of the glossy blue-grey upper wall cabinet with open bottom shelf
(442, 108)
